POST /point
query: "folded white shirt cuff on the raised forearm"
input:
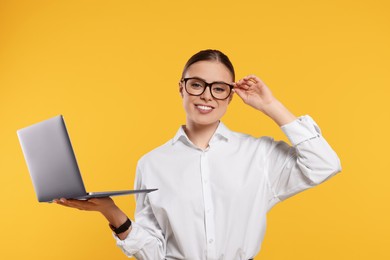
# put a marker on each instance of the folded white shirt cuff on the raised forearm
(301, 129)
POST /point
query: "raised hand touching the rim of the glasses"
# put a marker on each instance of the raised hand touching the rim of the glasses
(254, 92)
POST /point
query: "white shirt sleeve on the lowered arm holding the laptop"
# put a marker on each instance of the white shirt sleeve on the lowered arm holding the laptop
(146, 240)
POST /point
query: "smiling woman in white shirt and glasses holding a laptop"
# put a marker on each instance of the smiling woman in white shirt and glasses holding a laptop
(215, 185)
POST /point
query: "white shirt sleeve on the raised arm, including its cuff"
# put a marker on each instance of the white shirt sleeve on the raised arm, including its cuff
(308, 162)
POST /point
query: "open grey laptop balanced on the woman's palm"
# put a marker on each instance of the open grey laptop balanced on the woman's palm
(52, 163)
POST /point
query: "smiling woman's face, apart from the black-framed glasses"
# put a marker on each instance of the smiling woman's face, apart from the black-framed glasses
(204, 109)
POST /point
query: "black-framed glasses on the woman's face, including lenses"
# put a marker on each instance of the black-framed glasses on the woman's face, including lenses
(196, 87)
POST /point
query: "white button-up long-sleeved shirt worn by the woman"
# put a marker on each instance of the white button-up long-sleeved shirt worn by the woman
(212, 203)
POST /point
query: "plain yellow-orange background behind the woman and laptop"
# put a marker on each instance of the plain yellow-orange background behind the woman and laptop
(112, 68)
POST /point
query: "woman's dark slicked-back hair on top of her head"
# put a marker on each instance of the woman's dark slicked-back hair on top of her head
(210, 55)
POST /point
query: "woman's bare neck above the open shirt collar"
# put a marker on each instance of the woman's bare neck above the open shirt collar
(200, 135)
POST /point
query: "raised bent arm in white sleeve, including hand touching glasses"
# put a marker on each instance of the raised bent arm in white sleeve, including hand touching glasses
(308, 162)
